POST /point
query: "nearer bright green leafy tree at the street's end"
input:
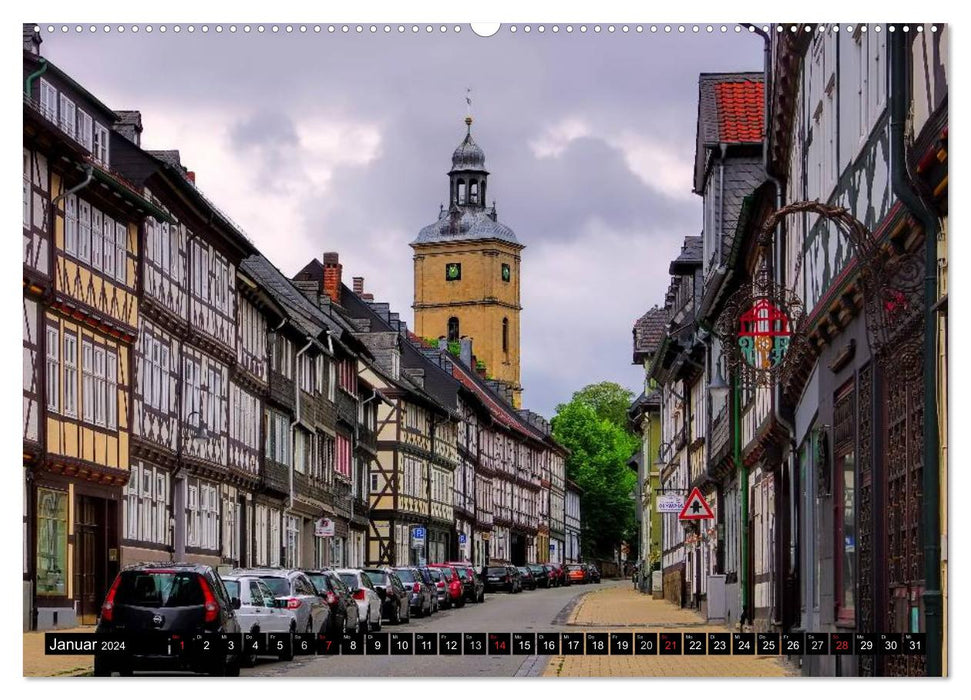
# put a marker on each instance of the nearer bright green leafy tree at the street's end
(599, 451)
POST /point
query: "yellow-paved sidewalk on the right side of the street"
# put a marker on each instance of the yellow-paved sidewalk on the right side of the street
(622, 609)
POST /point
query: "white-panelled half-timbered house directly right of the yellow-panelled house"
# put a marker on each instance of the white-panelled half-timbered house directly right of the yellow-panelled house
(199, 376)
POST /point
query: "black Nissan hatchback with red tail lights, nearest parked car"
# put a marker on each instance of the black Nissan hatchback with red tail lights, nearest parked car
(174, 599)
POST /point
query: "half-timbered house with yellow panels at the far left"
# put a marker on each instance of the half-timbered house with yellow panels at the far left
(80, 324)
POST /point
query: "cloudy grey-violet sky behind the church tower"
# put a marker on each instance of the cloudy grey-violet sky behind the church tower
(319, 142)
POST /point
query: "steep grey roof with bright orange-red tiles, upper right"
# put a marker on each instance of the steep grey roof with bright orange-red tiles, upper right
(730, 110)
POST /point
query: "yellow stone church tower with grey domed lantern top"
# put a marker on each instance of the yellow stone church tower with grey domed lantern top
(467, 268)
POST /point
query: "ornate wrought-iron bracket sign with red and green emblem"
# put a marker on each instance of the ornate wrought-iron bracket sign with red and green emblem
(763, 327)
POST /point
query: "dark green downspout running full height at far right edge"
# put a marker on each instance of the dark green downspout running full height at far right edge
(904, 190)
